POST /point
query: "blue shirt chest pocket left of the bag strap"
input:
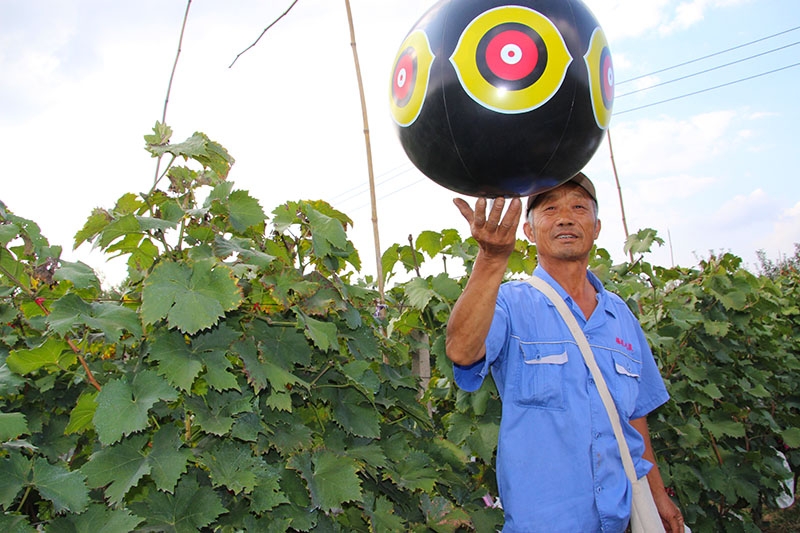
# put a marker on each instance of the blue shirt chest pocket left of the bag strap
(541, 375)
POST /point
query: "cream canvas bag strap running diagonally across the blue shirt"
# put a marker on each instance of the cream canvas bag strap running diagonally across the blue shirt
(588, 357)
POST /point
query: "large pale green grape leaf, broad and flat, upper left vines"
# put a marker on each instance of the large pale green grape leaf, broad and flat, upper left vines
(190, 296)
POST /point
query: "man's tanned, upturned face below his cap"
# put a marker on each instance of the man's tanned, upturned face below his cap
(565, 224)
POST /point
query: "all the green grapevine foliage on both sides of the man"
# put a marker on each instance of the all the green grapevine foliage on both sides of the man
(241, 379)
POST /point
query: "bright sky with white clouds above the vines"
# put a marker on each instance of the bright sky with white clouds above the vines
(703, 131)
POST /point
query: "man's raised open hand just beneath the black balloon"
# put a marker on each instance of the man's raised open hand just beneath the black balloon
(496, 237)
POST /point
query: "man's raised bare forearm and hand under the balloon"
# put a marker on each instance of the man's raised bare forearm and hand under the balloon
(472, 314)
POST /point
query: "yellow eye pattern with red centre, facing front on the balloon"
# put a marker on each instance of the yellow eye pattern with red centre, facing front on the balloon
(511, 59)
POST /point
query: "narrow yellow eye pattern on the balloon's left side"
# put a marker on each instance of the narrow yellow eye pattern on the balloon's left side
(410, 77)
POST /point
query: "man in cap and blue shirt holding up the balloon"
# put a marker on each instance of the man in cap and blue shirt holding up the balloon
(558, 462)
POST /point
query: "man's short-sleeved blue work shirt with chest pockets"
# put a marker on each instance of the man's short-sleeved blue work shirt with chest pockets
(558, 462)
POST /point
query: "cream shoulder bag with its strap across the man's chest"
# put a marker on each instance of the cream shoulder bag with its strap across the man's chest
(644, 514)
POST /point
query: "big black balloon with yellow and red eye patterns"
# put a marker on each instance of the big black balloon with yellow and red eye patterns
(492, 99)
